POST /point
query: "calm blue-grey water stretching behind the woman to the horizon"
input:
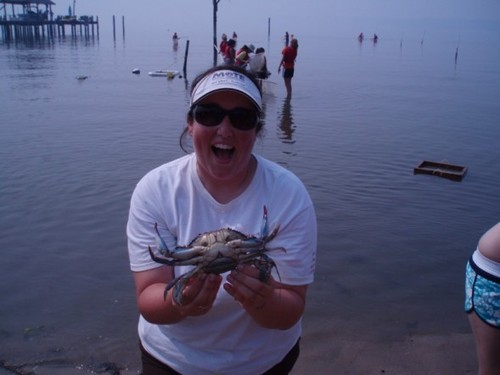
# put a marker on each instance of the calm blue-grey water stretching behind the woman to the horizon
(392, 245)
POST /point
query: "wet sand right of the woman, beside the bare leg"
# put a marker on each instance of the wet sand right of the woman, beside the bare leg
(448, 354)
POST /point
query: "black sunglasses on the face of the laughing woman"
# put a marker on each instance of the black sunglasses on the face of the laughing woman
(212, 115)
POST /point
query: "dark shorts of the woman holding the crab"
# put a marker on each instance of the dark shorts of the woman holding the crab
(151, 366)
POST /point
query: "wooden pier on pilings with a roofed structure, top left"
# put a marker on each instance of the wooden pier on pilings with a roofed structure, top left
(34, 19)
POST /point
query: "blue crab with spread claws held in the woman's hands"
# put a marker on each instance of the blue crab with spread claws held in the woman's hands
(217, 252)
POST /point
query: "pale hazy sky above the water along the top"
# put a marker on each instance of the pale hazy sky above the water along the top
(325, 16)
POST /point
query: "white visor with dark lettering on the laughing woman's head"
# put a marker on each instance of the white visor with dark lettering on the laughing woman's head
(226, 80)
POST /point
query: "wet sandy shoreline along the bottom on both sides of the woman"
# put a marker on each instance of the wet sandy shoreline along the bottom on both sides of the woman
(430, 354)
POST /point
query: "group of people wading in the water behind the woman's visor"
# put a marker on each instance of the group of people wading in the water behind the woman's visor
(254, 60)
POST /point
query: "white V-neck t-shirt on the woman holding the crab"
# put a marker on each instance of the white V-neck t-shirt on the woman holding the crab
(226, 340)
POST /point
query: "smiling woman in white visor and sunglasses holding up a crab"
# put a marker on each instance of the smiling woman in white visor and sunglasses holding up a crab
(236, 322)
